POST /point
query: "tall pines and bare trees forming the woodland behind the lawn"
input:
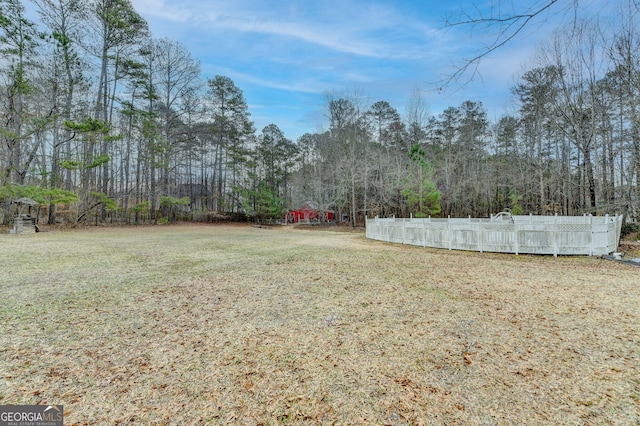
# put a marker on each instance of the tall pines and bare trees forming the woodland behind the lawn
(100, 121)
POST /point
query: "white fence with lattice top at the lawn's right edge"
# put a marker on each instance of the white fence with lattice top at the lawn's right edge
(504, 233)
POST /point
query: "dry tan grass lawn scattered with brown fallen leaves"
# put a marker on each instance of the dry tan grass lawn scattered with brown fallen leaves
(195, 324)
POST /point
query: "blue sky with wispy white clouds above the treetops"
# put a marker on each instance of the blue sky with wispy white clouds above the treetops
(288, 56)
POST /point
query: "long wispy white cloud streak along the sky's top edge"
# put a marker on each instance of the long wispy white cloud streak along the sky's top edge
(349, 26)
